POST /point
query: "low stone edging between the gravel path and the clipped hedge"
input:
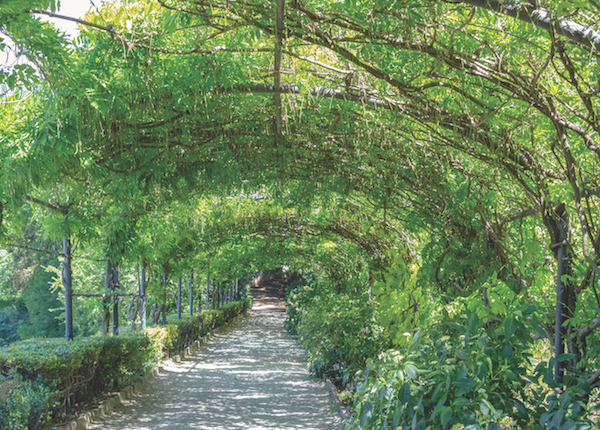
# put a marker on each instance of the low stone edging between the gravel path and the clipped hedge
(107, 406)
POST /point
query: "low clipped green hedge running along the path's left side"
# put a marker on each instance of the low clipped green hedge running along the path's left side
(78, 371)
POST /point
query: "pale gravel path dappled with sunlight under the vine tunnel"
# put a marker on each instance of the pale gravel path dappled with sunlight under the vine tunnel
(252, 376)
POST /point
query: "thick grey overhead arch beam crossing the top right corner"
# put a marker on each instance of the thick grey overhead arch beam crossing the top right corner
(542, 18)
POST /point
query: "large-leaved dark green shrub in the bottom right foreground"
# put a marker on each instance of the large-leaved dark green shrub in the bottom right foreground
(459, 372)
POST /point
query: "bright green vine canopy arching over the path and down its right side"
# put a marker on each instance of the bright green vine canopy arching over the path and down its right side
(420, 159)
